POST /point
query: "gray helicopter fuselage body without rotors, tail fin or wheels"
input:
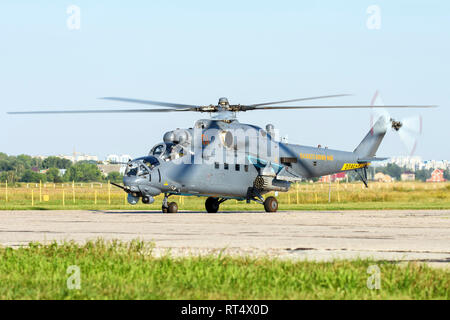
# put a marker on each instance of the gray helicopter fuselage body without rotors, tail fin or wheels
(216, 159)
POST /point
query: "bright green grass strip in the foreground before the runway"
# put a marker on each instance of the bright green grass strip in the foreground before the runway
(115, 270)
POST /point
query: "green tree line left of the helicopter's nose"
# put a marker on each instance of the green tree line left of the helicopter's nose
(24, 168)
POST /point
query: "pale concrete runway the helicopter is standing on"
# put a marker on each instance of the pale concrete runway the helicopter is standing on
(418, 235)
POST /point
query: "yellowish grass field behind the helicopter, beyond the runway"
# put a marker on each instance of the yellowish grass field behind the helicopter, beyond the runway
(304, 196)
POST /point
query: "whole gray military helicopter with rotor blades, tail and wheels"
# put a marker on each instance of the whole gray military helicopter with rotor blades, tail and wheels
(221, 158)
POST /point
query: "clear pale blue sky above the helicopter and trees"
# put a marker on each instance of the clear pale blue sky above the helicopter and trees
(195, 52)
